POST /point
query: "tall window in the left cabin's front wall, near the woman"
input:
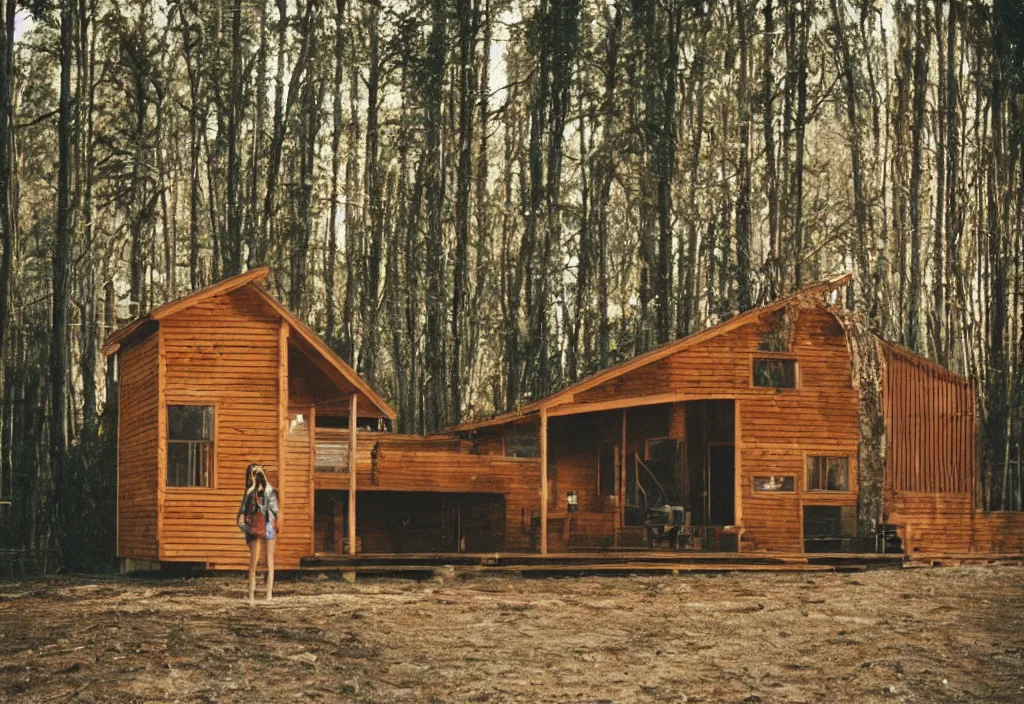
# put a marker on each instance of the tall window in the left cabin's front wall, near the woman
(190, 446)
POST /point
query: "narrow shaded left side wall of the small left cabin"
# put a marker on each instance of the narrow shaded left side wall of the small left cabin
(138, 482)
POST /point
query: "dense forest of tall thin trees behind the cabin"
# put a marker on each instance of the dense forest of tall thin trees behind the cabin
(479, 202)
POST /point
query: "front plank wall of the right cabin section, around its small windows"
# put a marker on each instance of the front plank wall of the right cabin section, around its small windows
(776, 429)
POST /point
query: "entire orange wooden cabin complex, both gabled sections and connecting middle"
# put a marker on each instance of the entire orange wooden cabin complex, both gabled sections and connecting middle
(752, 427)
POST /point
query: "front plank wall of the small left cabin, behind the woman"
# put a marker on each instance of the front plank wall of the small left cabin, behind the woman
(226, 353)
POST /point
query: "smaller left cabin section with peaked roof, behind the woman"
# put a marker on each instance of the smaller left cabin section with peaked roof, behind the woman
(207, 385)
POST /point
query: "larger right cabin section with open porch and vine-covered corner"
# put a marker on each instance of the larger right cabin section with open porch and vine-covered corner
(754, 427)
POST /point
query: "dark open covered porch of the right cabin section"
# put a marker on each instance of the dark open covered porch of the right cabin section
(629, 475)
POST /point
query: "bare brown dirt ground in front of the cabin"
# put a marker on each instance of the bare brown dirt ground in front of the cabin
(943, 635)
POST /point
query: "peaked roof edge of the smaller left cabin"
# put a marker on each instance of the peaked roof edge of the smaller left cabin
(312, 344)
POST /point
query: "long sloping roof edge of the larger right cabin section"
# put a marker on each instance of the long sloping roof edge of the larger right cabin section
(567, 394)
